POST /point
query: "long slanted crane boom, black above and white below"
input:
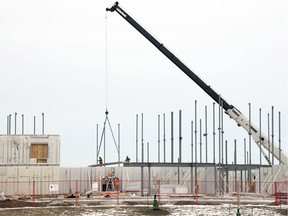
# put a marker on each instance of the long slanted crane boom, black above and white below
(230, 110)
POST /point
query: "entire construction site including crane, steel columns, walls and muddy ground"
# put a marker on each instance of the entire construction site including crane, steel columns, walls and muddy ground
(218, 178)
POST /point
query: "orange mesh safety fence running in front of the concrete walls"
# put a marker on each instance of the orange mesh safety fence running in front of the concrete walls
(112, 186)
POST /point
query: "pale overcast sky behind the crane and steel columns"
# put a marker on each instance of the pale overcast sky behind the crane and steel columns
(53, 61)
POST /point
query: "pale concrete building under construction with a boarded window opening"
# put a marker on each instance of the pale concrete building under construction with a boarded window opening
(30, 164)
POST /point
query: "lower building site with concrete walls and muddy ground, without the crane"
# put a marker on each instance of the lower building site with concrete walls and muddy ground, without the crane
(38, 181)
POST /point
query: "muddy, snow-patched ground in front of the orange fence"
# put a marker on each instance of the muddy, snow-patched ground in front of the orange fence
(132, 205)
